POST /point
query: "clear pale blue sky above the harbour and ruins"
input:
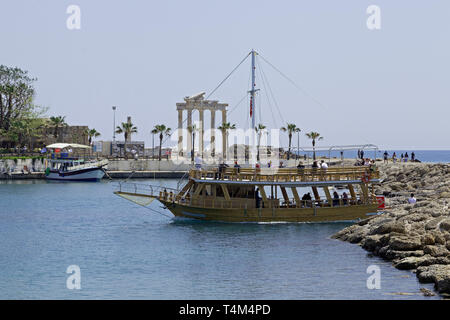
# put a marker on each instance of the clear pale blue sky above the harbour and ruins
(388, 87)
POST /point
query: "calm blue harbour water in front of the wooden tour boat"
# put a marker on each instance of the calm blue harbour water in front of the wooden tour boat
(126, 251)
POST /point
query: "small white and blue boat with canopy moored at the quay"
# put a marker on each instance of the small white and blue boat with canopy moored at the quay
(73, 169)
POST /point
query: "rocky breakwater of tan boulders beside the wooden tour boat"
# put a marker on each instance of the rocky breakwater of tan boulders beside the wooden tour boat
(413, 236)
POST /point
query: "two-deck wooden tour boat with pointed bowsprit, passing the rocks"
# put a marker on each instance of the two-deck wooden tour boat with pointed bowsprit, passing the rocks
(265, 195)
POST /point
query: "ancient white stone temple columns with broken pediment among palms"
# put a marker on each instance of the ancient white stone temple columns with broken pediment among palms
(192, 103)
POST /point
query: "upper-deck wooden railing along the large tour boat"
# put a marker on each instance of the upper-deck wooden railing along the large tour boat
(287, 174)
